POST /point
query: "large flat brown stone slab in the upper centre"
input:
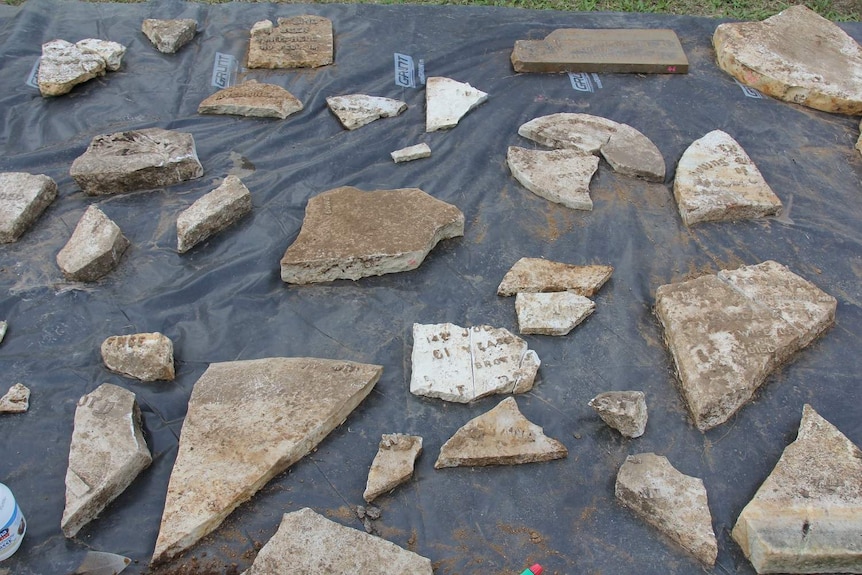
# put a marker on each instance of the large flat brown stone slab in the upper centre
(350, 234)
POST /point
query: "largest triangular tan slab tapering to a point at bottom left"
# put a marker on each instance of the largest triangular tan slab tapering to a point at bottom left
(248, 421)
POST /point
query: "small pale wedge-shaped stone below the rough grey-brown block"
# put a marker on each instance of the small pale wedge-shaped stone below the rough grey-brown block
(95, 248)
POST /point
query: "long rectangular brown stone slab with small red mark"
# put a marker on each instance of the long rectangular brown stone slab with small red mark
(653, 51)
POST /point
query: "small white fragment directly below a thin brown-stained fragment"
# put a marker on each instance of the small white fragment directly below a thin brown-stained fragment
(555, 313)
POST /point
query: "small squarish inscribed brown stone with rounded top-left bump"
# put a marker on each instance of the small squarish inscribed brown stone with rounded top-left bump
(298, 42)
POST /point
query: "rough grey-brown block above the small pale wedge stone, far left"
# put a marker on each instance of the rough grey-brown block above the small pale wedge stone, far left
(136, 160)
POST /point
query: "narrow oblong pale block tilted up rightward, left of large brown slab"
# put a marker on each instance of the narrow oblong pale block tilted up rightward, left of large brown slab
(212, 213)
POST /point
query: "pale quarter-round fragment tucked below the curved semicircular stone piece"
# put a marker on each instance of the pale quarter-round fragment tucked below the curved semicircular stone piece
(561, 176)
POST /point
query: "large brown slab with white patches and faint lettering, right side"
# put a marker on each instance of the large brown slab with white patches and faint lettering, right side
(727, 332)
